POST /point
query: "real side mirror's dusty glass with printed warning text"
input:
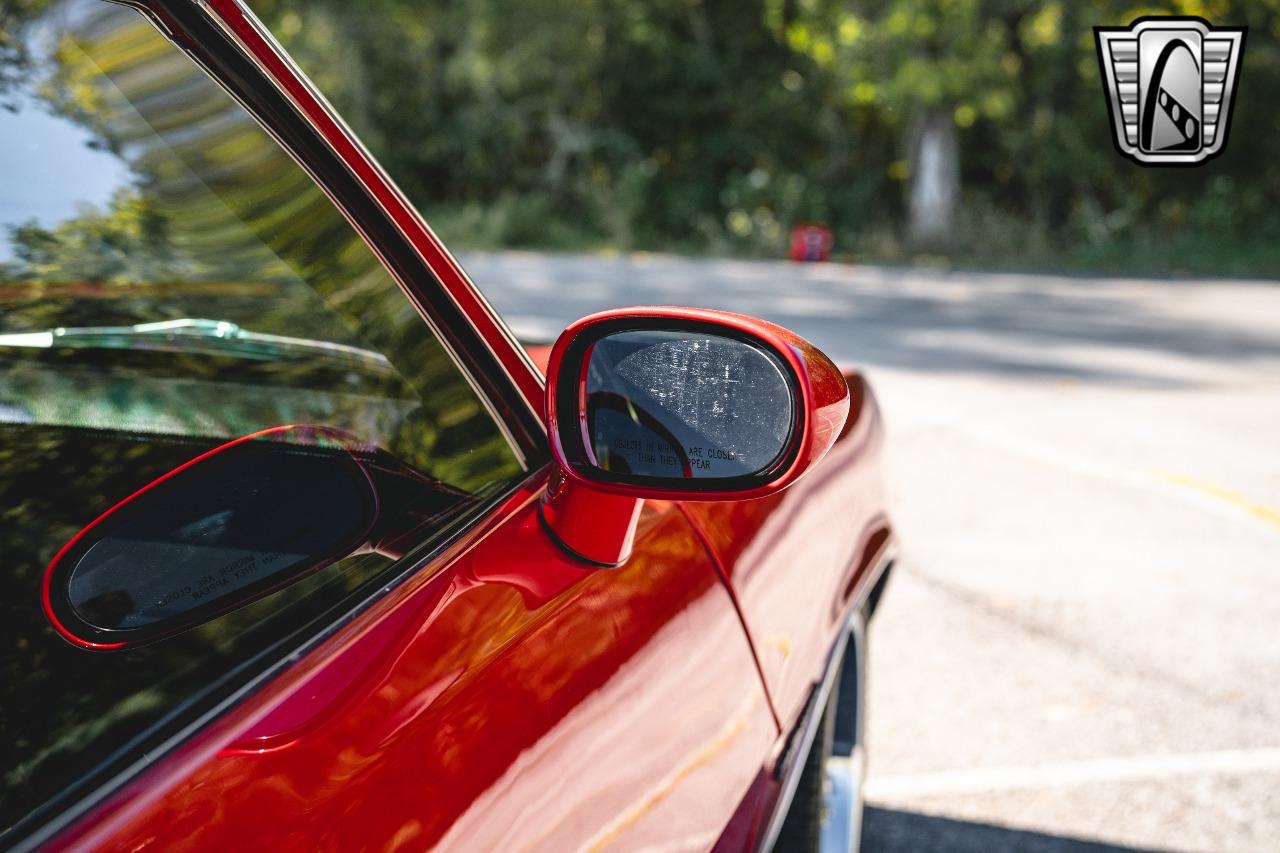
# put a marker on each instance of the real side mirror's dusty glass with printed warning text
(685, 405)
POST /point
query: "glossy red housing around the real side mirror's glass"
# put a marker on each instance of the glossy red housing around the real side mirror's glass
(822, 404)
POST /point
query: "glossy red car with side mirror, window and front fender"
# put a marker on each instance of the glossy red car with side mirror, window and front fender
(301, 551)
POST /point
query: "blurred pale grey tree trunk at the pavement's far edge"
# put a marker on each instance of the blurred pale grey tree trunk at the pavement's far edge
(935, 180)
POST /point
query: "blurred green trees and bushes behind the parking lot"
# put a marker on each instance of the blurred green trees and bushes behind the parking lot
(714, 126)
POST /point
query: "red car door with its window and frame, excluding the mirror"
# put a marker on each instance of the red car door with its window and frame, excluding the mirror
(172, 282)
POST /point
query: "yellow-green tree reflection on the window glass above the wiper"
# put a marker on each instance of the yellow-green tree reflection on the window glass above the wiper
(218, 223)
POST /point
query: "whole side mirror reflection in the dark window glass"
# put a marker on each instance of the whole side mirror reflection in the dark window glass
(231, 527)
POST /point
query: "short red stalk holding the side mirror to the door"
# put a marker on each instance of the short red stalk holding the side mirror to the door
(595, 527)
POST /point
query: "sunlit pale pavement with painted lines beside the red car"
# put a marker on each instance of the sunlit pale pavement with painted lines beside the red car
(1081, 650)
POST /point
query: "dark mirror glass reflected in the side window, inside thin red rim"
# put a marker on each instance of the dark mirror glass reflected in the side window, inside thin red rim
(213, 536)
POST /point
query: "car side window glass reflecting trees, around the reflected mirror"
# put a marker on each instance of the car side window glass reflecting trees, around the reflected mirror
(171, 281)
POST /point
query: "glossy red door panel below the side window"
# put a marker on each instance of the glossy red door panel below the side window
(511, 697)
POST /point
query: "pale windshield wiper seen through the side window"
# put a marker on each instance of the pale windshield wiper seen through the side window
(213, 337)
